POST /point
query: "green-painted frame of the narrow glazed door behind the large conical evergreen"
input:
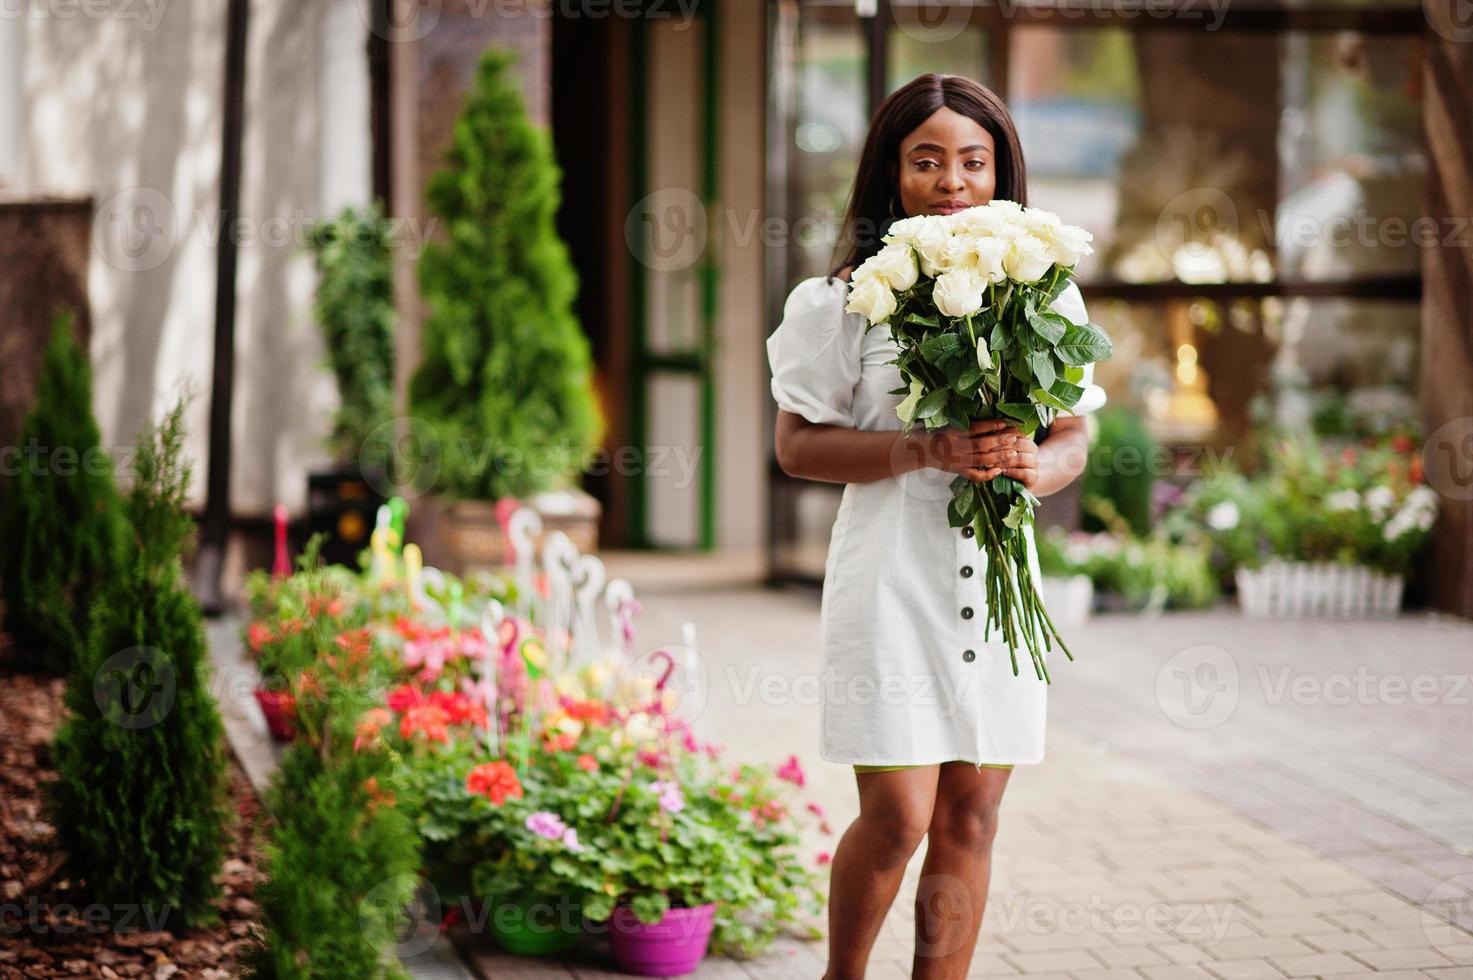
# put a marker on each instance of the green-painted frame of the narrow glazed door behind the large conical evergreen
(699, 362)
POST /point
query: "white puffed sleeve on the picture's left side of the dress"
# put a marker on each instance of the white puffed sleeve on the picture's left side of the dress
(815, 354)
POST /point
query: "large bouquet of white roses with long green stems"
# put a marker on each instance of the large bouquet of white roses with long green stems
(968, 298)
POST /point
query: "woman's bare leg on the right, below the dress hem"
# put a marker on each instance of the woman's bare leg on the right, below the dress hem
(958, 870)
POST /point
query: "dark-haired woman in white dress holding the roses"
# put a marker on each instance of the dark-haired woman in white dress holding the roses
(927, 711)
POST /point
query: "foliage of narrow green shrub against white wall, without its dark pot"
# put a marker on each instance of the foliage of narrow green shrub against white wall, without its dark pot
(354, 307)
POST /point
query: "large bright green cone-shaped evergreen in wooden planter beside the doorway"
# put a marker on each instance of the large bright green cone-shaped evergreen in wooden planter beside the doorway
(507, 369)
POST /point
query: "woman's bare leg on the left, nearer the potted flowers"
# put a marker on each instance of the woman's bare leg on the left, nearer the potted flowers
(895, 813)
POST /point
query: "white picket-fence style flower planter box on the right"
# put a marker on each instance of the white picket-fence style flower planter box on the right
(1309, 590)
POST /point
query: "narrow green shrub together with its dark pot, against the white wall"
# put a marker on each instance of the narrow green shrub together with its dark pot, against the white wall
(354, 307)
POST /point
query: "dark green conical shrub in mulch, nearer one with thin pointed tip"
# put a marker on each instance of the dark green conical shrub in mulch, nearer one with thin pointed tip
(141, 804)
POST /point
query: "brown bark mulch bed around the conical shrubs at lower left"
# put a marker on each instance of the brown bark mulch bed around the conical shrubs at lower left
(42, 928)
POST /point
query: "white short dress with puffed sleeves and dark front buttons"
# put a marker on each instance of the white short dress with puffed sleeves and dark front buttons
(908, 679)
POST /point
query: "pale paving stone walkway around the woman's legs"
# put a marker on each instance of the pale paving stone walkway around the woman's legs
(1223, 799)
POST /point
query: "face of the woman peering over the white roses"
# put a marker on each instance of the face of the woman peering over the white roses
(946, 164)
